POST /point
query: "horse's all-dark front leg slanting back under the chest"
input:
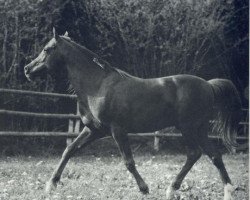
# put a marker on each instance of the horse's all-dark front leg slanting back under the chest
(122, 141)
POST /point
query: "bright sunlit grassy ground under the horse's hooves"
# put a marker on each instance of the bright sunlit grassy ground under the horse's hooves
(98, 176)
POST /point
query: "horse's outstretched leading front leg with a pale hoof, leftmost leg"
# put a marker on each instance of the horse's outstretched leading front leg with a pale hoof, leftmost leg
(85, 137)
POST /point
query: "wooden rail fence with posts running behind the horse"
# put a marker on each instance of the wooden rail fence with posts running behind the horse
(74, 120)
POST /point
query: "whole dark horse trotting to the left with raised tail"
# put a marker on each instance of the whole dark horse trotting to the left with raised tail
(114, 102)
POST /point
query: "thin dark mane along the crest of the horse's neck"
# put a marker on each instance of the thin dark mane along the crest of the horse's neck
(95, 58)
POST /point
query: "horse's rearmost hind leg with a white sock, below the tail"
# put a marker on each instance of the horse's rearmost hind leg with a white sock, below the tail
(216, 158)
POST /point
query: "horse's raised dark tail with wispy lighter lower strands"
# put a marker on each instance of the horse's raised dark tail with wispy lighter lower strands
(227, 105)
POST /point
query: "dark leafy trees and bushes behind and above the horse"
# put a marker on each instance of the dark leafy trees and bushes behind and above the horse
(148, 38)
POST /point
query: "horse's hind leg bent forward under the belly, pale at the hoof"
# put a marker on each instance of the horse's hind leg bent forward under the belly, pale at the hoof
(193, 154)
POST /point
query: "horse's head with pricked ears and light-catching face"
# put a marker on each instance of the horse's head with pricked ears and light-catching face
(48, 59)
